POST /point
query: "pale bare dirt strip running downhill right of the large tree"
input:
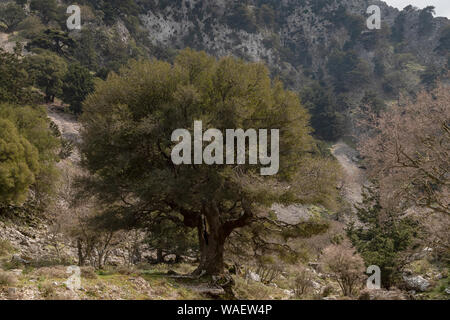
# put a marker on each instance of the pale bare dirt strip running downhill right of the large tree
(354, 176)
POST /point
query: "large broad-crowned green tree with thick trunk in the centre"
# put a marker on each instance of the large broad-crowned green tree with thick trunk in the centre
(127, 126)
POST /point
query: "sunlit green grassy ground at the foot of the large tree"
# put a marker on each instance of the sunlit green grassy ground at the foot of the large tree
(121, 283)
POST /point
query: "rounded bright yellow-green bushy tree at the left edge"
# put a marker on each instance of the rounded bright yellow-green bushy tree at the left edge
(30, 129)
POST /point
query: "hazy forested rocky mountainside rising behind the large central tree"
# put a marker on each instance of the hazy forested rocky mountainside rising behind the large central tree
(316, 47)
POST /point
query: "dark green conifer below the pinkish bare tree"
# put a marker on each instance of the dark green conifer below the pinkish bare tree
(385, 238)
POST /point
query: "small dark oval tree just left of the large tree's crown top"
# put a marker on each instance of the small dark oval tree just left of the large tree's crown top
(78, 83)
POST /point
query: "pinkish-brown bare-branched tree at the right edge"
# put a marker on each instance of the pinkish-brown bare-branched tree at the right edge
(407, 150)
